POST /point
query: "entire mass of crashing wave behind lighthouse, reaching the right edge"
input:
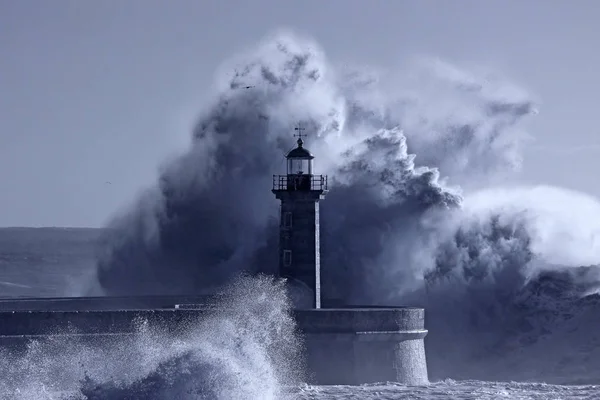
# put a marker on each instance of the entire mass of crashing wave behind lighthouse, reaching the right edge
(414, 158)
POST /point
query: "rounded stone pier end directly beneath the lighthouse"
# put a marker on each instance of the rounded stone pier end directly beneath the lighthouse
(364, 345)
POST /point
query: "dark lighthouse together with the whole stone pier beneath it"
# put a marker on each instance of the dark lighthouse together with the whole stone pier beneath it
(342, 345)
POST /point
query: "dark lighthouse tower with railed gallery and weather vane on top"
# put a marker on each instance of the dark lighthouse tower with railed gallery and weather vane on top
(300, 191)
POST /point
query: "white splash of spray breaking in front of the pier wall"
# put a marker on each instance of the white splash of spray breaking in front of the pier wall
(246, 349)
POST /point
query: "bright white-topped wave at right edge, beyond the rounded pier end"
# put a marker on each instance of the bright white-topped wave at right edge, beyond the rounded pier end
(512, 267)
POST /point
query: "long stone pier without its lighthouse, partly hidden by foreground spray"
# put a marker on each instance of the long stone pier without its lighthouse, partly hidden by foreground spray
(342, 346)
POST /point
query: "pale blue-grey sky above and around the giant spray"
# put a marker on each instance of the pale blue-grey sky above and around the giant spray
(96, 95)
